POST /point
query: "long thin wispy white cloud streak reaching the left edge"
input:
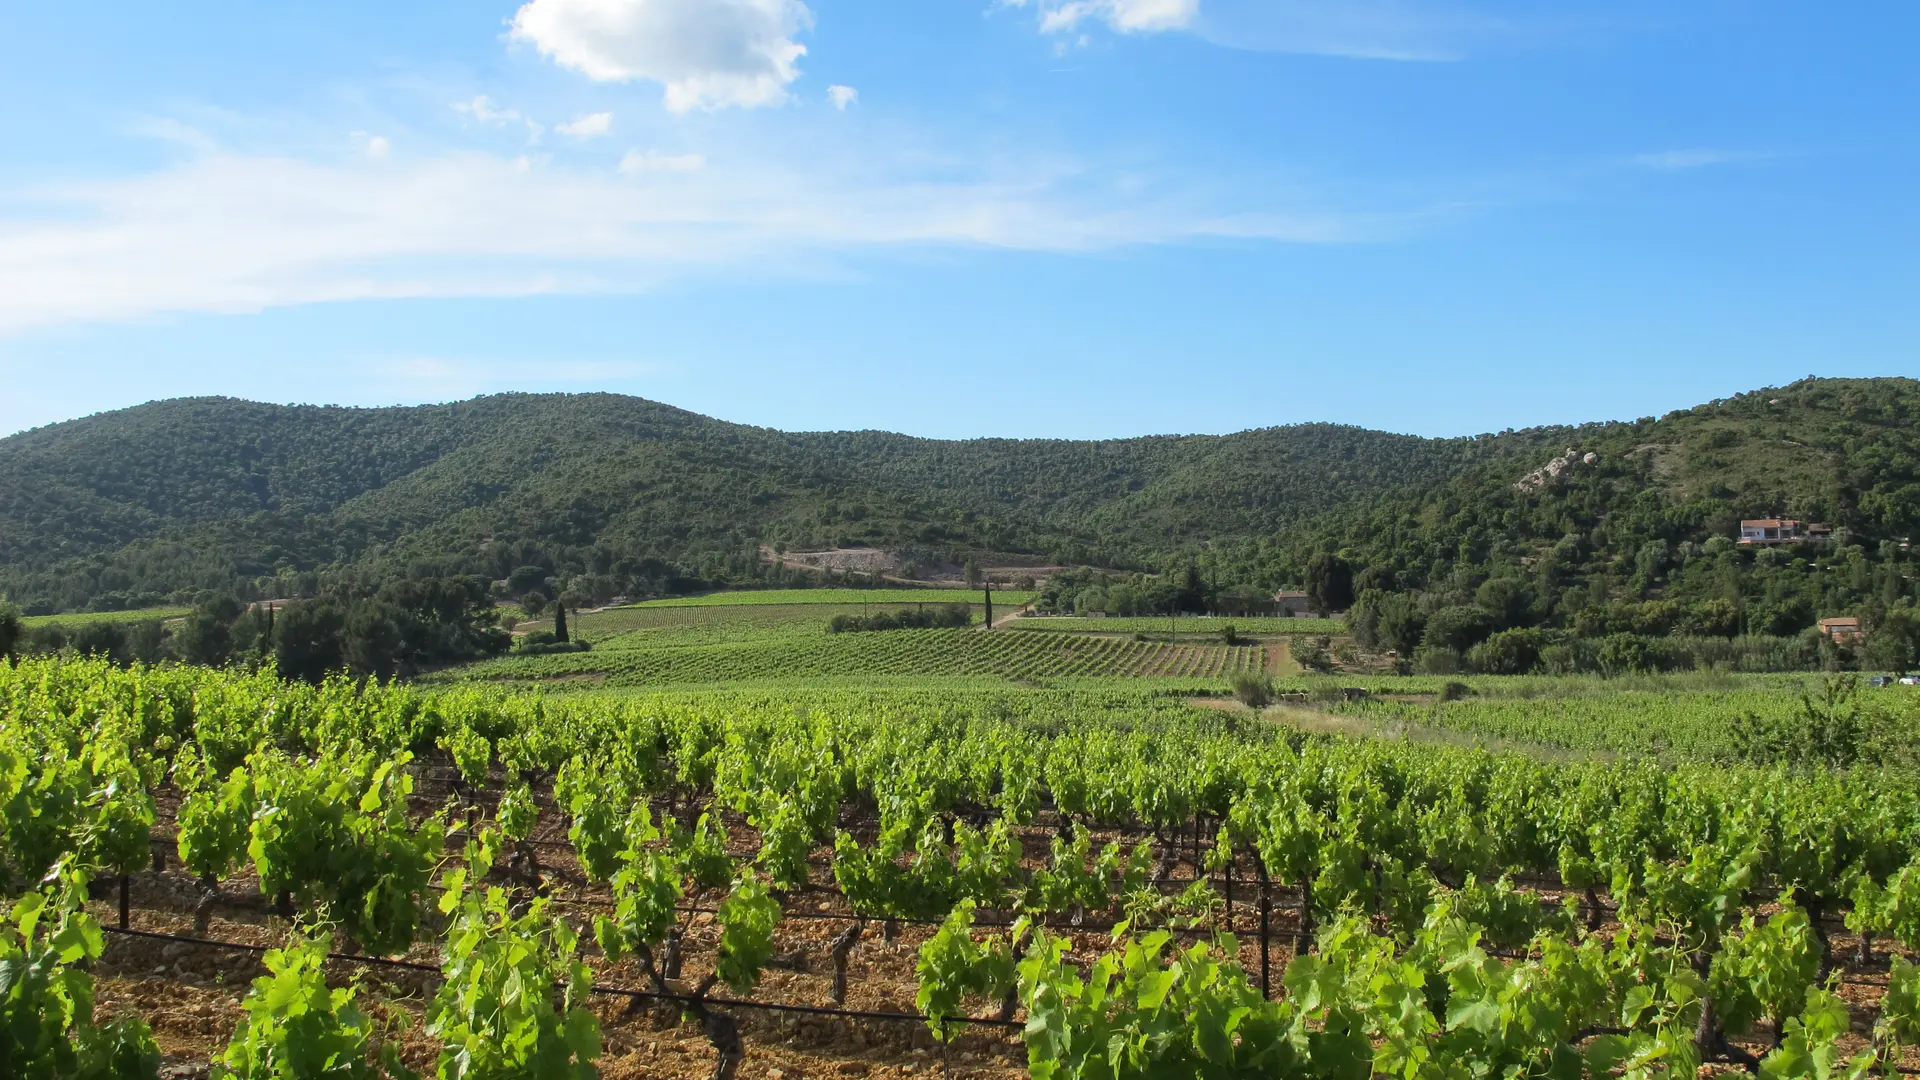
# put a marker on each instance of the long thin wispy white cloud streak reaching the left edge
(245, 233)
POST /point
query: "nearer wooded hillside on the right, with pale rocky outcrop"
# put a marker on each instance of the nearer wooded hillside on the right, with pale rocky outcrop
(1643, 541)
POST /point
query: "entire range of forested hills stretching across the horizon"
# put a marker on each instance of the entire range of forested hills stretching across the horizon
(178, 497)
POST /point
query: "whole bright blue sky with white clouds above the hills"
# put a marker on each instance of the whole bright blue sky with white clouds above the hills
(955, 218)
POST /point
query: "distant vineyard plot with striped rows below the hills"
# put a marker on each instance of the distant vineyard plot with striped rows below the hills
(896, 652)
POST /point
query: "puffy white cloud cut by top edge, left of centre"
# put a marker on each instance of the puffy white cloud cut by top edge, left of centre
(708, 53)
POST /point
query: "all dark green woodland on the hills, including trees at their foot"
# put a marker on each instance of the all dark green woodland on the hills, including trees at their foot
(1437, 545)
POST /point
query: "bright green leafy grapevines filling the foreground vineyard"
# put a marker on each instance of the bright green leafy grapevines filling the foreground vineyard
(1420, 952)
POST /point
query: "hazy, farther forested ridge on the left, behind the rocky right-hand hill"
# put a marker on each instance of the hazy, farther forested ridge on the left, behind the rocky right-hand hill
(208, 493)
